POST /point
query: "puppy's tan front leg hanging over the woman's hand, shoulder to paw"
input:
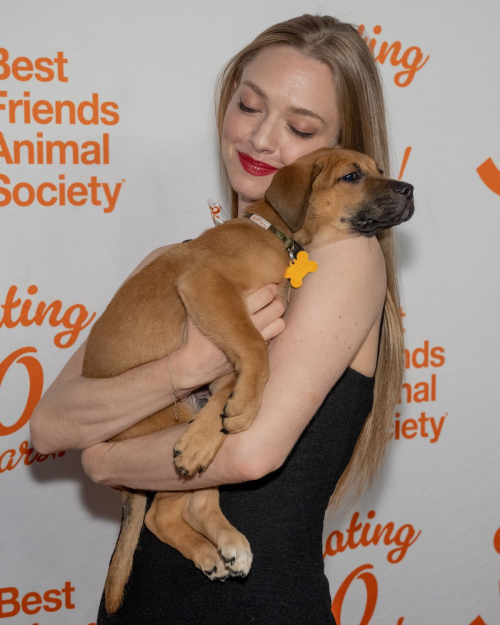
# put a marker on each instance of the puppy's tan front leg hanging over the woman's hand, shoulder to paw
(218, 309)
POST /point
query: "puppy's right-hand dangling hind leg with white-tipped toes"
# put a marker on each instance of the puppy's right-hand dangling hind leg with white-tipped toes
(203, 513)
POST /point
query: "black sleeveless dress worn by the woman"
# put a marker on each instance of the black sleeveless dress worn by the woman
(282, 516)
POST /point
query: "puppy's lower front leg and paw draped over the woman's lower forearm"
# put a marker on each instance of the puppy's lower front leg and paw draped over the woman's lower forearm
(197, 447)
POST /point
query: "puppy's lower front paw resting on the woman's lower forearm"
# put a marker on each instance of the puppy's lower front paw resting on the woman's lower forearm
(196, 448)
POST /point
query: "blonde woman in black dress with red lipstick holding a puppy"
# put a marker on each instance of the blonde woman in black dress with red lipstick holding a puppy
(336, 358)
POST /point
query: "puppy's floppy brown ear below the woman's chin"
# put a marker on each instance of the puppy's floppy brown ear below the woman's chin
(289, 191)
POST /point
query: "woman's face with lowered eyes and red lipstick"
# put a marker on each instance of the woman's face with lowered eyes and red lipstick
(284, 107)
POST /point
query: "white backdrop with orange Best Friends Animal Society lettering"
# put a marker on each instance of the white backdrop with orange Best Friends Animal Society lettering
(156, 62)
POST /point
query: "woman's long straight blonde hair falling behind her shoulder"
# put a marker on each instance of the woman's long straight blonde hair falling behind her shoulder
(363, 128)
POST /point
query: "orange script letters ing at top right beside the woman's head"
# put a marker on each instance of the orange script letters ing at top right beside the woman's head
(410, 59)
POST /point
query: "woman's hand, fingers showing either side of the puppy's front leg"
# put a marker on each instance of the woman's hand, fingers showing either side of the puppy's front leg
(199, 361)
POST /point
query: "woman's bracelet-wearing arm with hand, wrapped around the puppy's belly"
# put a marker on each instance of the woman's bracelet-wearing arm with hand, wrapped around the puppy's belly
(77, 412)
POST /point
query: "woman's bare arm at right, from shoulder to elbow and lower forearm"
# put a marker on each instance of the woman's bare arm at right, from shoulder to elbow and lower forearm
(327, 321)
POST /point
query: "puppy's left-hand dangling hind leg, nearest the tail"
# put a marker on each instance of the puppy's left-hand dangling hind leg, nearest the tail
(164, 520)
